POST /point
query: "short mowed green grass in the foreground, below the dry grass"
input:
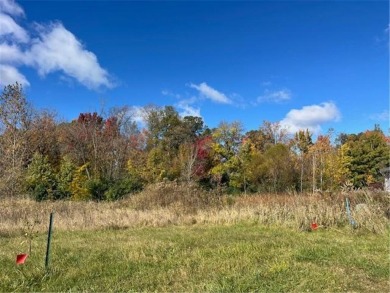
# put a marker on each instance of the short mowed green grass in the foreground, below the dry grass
(234, 258)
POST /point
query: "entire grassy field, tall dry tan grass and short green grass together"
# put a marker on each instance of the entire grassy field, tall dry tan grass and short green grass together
(161, 241)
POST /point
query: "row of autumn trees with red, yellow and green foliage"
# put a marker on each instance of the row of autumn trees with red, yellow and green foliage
(104, 157)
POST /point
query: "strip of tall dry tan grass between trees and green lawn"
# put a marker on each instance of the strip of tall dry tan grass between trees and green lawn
(173, 204)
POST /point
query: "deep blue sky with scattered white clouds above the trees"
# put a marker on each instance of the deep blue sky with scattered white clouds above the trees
(305, 64)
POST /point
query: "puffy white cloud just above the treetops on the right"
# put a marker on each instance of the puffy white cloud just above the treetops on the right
(310, 117)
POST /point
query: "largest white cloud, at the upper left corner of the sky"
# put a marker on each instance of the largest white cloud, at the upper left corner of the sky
(52, 49)
